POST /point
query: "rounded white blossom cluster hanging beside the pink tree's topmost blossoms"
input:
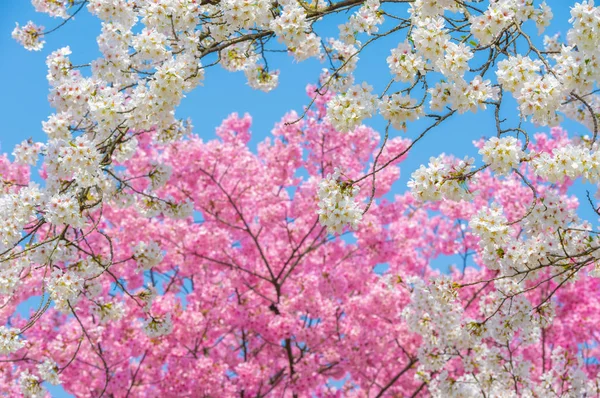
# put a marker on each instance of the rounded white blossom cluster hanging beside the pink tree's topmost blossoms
(346, 111)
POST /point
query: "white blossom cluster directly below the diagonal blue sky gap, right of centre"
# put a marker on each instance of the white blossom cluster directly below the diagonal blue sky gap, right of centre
(442, 178)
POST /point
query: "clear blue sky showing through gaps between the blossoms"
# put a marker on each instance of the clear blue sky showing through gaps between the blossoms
(24, 102)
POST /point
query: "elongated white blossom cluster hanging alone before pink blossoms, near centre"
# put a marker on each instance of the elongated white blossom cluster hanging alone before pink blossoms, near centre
(337, 204)
